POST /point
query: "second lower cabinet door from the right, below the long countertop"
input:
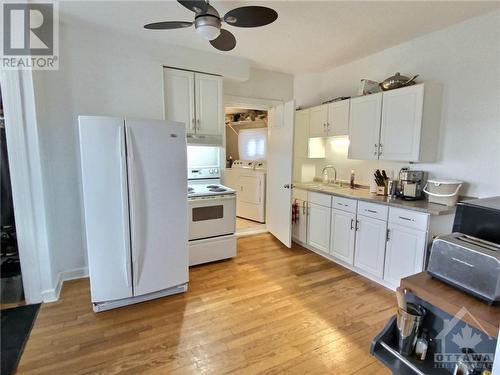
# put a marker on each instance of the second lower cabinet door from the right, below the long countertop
(370, 245)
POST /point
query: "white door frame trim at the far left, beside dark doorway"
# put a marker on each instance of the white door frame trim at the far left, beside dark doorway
(30, 208)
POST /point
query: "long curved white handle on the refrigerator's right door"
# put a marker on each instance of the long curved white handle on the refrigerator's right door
(133, 207)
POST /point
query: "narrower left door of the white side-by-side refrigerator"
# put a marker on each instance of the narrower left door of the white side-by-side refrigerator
(105, 201)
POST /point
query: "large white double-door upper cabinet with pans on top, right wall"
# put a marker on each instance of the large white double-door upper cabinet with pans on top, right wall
(399, 125)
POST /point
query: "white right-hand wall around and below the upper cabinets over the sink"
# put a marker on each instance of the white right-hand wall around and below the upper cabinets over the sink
(466, 59)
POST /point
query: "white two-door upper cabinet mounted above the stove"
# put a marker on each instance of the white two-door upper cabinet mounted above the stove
(196, 100)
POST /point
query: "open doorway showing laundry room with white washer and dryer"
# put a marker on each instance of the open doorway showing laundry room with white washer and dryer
(246, 155)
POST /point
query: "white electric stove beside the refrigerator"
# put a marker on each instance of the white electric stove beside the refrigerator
(212, 218)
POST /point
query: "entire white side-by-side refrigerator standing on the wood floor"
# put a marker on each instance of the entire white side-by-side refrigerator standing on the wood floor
(134, 185)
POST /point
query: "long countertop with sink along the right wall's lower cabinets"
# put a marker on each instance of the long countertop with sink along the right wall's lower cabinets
(364, 195)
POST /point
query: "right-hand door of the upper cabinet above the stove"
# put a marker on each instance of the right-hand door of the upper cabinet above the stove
(209, 106)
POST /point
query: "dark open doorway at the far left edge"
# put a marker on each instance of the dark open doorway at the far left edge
(11, 293)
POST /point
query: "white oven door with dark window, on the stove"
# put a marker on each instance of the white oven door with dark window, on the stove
(212, 216)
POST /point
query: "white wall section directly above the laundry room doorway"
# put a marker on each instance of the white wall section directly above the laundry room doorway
(262, 84)
